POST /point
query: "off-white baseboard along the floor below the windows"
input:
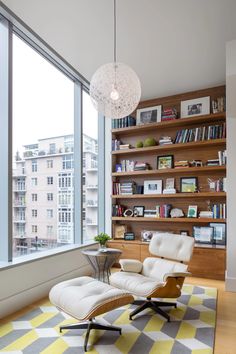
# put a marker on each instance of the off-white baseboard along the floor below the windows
(29, 296)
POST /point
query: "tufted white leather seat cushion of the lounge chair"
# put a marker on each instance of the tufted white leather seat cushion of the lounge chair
(135, 283)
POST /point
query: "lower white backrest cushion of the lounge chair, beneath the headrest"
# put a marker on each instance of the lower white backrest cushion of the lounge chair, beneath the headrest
(157, 268)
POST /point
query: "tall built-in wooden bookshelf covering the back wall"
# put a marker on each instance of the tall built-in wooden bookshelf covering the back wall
(197, 150)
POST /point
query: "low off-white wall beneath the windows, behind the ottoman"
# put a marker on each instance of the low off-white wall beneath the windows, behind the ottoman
(26, 283)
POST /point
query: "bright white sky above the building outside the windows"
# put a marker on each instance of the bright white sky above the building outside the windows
(43, 99)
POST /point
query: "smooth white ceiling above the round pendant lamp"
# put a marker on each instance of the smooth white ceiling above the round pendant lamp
(174, 46)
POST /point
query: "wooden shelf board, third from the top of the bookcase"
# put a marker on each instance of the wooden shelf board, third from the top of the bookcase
(174, 171)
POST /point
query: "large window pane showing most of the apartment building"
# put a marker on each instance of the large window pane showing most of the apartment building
(43, 158)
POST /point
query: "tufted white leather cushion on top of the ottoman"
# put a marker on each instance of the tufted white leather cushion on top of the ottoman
(79, 296)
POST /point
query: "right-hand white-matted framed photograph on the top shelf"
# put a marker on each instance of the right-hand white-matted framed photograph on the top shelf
(196, 107)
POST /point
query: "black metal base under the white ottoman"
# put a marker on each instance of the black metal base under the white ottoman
(90, 324)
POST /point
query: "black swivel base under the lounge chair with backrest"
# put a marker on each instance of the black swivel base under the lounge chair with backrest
(154, 305)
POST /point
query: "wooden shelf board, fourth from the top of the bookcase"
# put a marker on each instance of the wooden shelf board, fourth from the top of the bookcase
(171, 196)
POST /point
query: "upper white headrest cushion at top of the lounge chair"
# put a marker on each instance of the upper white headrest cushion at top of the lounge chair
(172, 246)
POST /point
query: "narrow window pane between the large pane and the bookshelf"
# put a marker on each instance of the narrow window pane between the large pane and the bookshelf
(90, 169)
